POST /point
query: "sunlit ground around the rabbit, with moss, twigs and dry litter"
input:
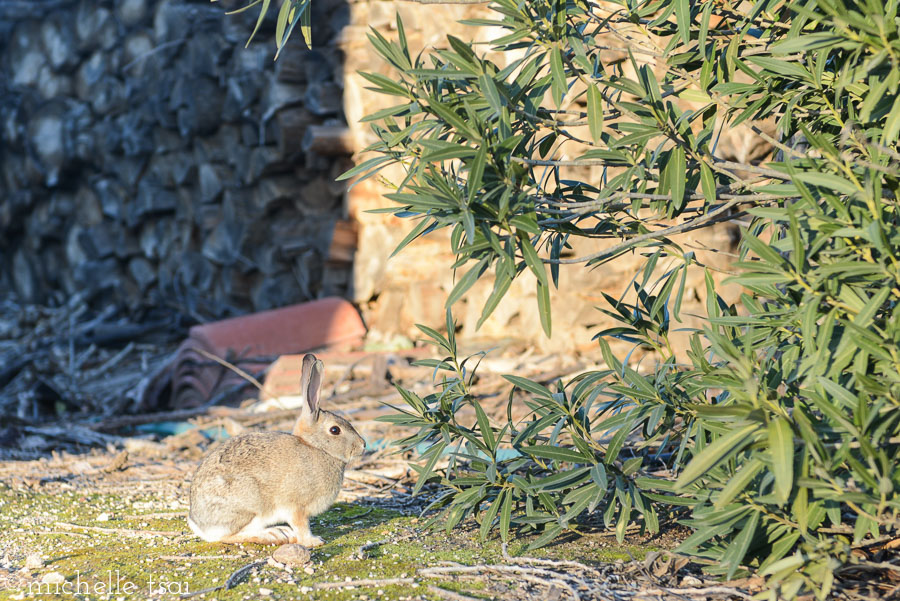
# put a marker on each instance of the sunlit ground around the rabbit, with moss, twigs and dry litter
(109, 523)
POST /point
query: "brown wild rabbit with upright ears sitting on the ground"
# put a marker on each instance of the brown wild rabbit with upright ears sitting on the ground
(249, 484)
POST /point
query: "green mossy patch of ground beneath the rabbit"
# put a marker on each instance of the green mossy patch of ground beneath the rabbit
(156, 553)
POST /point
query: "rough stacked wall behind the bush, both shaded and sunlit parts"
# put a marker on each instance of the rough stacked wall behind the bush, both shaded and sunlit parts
(148, 156)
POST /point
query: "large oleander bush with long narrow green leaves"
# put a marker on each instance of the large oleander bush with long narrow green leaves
(775, 435)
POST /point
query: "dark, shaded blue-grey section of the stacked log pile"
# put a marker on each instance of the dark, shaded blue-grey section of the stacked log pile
(148, 157)
